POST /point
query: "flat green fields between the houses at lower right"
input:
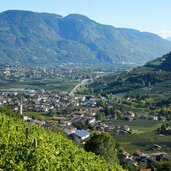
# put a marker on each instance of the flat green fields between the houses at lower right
(143, 133)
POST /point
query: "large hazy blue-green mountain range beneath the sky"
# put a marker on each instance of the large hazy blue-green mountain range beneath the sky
(42, 38)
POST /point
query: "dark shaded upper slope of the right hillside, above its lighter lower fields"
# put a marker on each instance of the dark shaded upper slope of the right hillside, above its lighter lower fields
(152, 74)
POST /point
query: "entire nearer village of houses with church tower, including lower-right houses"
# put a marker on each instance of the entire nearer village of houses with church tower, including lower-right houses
(78, 116)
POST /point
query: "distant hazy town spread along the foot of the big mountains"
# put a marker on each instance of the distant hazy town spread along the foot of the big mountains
(60, 71)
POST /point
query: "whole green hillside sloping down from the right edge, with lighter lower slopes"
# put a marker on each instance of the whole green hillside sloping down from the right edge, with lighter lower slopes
(145, 90)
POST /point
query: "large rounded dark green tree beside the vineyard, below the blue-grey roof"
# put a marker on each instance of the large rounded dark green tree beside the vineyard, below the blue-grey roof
(102, 144)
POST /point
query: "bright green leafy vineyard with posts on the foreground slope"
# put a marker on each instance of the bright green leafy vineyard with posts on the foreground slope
(24, 146)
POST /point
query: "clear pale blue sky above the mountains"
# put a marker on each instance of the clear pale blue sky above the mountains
(144, 15)
